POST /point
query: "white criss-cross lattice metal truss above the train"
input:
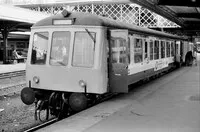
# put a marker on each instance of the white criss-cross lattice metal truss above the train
(125, 12)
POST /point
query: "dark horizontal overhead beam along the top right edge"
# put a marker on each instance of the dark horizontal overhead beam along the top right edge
(190, 3)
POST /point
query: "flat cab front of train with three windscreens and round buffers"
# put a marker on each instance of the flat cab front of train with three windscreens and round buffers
(66, 65)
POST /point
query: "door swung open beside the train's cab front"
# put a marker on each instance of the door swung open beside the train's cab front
(118, 61)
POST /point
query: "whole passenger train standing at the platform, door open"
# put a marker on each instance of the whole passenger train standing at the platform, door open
(75, 58)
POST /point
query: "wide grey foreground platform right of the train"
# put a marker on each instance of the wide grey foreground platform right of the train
(170, 103)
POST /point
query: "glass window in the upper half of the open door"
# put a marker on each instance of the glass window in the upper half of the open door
(119, 54)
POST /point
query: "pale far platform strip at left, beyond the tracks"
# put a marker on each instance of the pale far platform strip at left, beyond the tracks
(12, 67)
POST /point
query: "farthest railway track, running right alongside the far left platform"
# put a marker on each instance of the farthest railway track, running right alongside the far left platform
(12, 74)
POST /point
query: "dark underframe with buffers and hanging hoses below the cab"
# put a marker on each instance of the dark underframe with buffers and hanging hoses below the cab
(60, 104)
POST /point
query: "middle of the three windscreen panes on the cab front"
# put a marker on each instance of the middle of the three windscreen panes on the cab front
(60, 48)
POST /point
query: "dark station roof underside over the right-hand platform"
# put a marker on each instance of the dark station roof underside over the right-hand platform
(185, 13)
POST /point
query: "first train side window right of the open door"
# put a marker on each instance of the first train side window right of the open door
(138, 51)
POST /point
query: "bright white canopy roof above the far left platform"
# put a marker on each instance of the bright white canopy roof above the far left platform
(18, 19)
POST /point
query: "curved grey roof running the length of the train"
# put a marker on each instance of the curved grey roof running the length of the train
(89, 19)
